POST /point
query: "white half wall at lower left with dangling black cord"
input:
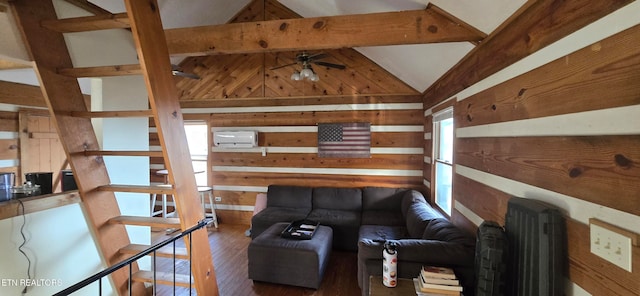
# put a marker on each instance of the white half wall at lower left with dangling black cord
(59, 245)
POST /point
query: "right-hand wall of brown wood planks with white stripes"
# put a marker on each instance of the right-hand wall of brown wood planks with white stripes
(568, 133)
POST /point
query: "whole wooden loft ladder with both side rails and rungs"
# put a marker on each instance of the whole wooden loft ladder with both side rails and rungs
(43, 35)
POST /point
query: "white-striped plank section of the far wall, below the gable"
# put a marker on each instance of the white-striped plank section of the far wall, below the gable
(288, 137)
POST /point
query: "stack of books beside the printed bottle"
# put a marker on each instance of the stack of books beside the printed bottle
(437, 281)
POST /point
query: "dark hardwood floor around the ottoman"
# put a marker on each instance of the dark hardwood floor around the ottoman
(229, 252)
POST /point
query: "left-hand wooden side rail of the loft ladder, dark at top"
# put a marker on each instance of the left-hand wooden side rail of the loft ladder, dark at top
(62, 95)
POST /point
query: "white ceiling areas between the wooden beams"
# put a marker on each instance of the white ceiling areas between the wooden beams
(419, 66)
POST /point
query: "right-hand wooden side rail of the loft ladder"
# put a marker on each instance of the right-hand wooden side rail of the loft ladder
(153, 53)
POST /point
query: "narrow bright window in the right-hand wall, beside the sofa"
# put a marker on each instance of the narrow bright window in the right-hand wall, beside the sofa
(443, 158)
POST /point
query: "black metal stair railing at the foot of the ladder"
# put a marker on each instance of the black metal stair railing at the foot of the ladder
(98, 277)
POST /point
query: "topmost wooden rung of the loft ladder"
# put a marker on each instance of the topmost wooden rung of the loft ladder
(89, 23)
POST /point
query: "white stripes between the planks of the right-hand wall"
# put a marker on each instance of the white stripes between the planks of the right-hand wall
(623, 120)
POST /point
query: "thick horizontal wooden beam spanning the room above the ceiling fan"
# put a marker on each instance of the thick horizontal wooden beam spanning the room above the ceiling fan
(375, 29)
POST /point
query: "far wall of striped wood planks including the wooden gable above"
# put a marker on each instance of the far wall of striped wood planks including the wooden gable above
(240, 92)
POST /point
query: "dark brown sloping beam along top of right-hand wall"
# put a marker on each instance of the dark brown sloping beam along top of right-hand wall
(536, 25)
